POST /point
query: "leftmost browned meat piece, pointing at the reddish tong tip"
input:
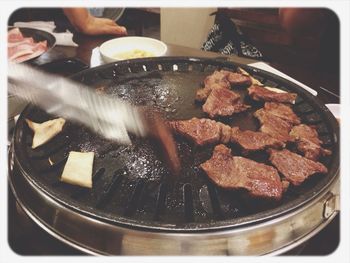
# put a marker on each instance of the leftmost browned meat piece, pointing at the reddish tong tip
(202, 131)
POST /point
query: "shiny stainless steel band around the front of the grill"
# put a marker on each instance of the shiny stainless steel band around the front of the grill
(95, 237)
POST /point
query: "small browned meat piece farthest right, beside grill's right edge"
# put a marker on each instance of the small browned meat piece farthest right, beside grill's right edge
(308, 142)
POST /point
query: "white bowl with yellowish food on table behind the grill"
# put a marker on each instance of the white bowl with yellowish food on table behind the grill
(112, 50)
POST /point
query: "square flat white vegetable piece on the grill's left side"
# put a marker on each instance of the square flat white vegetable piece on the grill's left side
(78, 169)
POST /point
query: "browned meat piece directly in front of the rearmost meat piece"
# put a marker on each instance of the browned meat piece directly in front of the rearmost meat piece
(223, 102)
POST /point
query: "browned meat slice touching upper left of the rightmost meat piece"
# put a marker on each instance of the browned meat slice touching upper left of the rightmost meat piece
(274, 126)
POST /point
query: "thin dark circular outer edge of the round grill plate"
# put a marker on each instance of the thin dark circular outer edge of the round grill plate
(262, 216)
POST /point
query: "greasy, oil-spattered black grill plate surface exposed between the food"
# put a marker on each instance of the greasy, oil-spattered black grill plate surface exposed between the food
(130, 184)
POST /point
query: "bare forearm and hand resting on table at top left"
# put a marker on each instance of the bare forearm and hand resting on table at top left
(87, 24)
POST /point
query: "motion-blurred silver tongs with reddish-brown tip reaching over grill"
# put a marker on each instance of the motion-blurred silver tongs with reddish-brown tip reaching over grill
(110, 117)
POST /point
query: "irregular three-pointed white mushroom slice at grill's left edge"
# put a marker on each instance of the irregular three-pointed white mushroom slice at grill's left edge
(43, 132)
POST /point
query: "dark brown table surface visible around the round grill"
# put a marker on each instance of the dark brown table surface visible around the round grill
(21, 229)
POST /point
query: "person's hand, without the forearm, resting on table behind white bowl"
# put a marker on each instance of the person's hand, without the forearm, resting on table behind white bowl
(103, 26)
